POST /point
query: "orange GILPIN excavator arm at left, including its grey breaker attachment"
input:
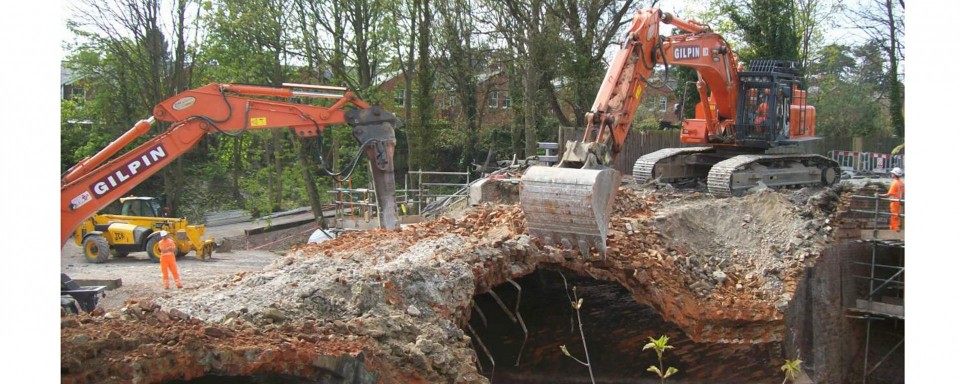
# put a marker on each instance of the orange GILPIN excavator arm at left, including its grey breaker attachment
(95, 182)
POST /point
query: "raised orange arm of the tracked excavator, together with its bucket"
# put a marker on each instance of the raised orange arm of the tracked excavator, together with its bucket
(570, 204)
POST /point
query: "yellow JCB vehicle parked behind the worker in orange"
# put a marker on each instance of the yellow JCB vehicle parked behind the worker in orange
(136, 229)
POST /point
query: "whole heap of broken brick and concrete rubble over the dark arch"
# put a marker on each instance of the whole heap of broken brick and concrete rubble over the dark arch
(721, 269)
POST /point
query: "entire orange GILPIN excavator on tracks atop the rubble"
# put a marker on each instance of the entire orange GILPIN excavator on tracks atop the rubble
(745, 120)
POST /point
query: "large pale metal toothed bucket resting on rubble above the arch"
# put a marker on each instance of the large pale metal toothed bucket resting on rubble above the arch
(569, 207)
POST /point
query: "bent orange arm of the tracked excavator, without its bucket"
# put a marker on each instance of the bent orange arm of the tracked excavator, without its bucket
(613, 111)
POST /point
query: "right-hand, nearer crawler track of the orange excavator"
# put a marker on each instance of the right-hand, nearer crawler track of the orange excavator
(738, 174)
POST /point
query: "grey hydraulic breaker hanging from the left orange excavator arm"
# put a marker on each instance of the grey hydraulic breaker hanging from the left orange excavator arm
(374, 128)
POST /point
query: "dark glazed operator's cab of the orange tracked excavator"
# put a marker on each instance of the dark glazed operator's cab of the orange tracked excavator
(763, 104)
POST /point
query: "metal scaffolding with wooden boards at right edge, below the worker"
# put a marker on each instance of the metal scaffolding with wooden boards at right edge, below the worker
(884, 281)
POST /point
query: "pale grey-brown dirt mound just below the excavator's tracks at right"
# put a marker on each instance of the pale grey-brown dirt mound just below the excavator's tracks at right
(759, 240)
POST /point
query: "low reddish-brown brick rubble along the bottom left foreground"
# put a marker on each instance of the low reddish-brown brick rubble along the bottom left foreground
(141, 342)
